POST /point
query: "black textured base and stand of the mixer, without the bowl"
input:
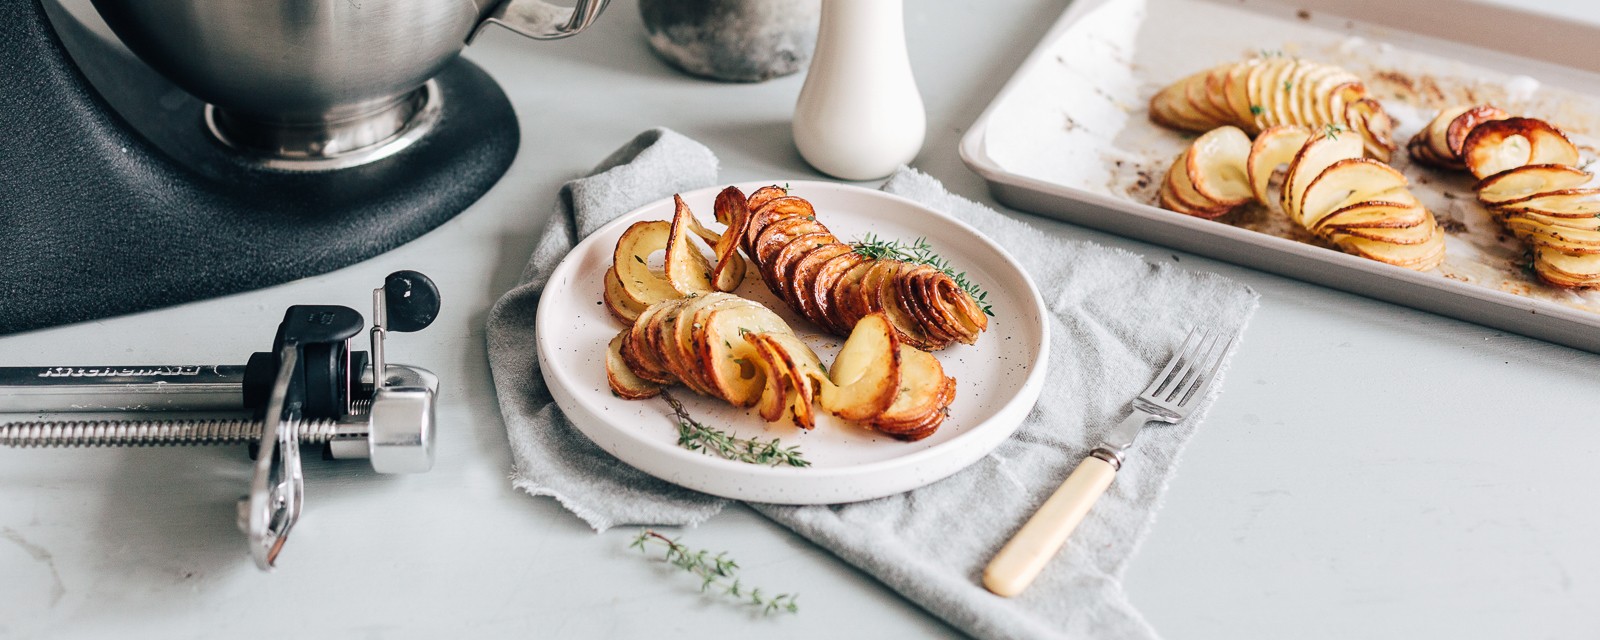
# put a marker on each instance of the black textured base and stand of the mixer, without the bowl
(97, 222)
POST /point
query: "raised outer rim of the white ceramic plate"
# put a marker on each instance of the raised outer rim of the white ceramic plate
(791, 486)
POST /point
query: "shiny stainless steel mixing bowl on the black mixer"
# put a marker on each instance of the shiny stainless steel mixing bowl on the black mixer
(321, 84)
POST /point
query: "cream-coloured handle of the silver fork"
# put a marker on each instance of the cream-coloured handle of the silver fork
(1042, 537)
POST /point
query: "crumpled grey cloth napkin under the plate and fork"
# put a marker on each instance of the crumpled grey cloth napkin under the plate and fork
(1114, 322)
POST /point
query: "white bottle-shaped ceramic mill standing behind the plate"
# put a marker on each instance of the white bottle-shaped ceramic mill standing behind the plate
(860, 114)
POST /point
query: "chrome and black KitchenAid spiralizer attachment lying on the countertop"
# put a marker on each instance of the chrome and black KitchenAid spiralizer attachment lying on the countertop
(310, 390)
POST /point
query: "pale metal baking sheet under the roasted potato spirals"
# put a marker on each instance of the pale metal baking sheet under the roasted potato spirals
(1070, 135)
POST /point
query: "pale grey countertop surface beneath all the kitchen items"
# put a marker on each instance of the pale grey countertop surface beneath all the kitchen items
(1370, 471)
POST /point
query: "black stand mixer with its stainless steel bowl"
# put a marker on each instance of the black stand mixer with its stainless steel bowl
(308, 137)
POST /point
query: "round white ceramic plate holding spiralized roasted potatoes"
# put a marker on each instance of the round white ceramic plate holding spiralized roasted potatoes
(998, 380)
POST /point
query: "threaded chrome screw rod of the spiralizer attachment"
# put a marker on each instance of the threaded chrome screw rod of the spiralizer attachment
(156, 433)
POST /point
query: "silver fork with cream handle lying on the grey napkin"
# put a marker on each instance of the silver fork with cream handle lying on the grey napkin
(1169, 399)
